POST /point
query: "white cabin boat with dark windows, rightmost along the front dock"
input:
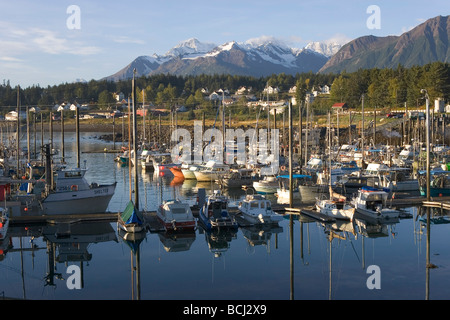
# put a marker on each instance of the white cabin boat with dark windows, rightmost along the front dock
(372, 202)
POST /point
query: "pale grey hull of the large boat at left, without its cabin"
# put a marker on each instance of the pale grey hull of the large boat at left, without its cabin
(94, 200)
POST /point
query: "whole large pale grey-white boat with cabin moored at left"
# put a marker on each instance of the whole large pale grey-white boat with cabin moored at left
(74, 195)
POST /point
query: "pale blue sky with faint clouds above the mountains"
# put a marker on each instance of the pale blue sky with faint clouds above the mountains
(37, 47)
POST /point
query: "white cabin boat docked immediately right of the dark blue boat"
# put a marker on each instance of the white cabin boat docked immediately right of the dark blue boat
(257, 209)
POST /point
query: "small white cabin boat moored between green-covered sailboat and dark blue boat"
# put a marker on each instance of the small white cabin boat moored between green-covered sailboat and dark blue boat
(176, 215)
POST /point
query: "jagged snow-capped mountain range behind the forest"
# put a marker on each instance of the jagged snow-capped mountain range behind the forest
(255, 57)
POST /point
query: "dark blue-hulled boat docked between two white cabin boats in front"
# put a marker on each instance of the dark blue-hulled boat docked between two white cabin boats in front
(214, 213)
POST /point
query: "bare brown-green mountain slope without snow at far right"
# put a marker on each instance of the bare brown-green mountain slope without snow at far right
(426, 43)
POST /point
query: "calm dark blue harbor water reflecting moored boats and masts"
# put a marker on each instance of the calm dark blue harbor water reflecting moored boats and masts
(300, 259)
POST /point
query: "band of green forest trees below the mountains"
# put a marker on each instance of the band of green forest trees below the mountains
(382, 88)
